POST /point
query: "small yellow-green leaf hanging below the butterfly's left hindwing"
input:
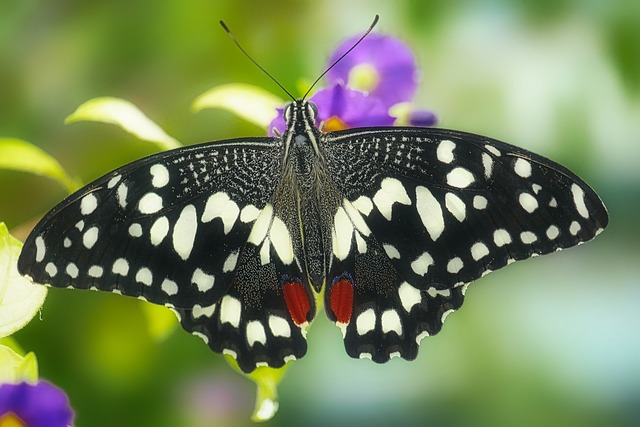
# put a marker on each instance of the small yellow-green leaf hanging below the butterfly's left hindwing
(267, 380)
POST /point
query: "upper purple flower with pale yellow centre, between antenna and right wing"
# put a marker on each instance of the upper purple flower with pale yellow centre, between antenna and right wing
(382, 66)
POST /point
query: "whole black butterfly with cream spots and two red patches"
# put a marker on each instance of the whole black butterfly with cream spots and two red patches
(239, 237)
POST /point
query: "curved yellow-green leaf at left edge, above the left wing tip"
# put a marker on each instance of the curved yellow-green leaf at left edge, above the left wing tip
(16, 154)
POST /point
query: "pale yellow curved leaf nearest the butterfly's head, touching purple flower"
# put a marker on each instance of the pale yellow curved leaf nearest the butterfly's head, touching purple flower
(249, 102)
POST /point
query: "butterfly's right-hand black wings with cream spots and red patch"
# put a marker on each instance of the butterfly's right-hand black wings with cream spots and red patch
(426, 211)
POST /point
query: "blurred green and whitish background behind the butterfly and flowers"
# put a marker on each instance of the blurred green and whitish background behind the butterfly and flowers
(552, 341)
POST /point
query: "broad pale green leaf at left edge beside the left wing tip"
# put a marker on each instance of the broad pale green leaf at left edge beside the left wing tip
(20, 299)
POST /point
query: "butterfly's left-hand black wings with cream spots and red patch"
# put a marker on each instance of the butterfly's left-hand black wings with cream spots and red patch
(190, 229)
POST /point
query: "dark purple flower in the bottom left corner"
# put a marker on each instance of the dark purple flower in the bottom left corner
(34, 405)
